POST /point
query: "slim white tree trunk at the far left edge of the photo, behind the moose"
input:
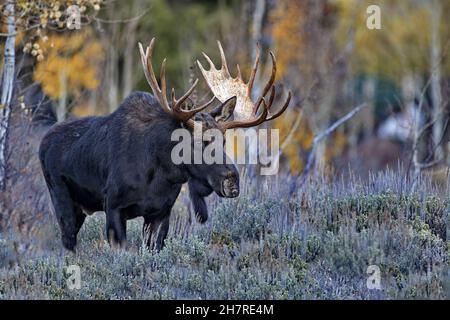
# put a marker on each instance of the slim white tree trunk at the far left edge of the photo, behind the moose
(7, 89)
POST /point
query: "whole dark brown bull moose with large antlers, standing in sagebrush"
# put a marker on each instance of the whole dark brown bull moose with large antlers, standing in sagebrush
(121, 163)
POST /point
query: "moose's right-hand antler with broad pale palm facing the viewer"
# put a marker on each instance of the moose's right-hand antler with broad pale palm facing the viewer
(224, 86)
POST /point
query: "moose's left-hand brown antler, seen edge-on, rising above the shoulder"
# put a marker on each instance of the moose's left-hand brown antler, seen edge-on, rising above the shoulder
(160, 93)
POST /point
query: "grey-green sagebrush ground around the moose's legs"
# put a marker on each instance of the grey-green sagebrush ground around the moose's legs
(276, 241)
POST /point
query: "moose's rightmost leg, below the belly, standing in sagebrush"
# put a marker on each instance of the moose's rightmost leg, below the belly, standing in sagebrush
(154, 231)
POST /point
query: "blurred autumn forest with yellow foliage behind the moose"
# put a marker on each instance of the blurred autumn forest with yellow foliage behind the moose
(326, 55)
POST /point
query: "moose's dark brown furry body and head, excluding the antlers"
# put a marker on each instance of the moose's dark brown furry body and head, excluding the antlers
(121, 164)
